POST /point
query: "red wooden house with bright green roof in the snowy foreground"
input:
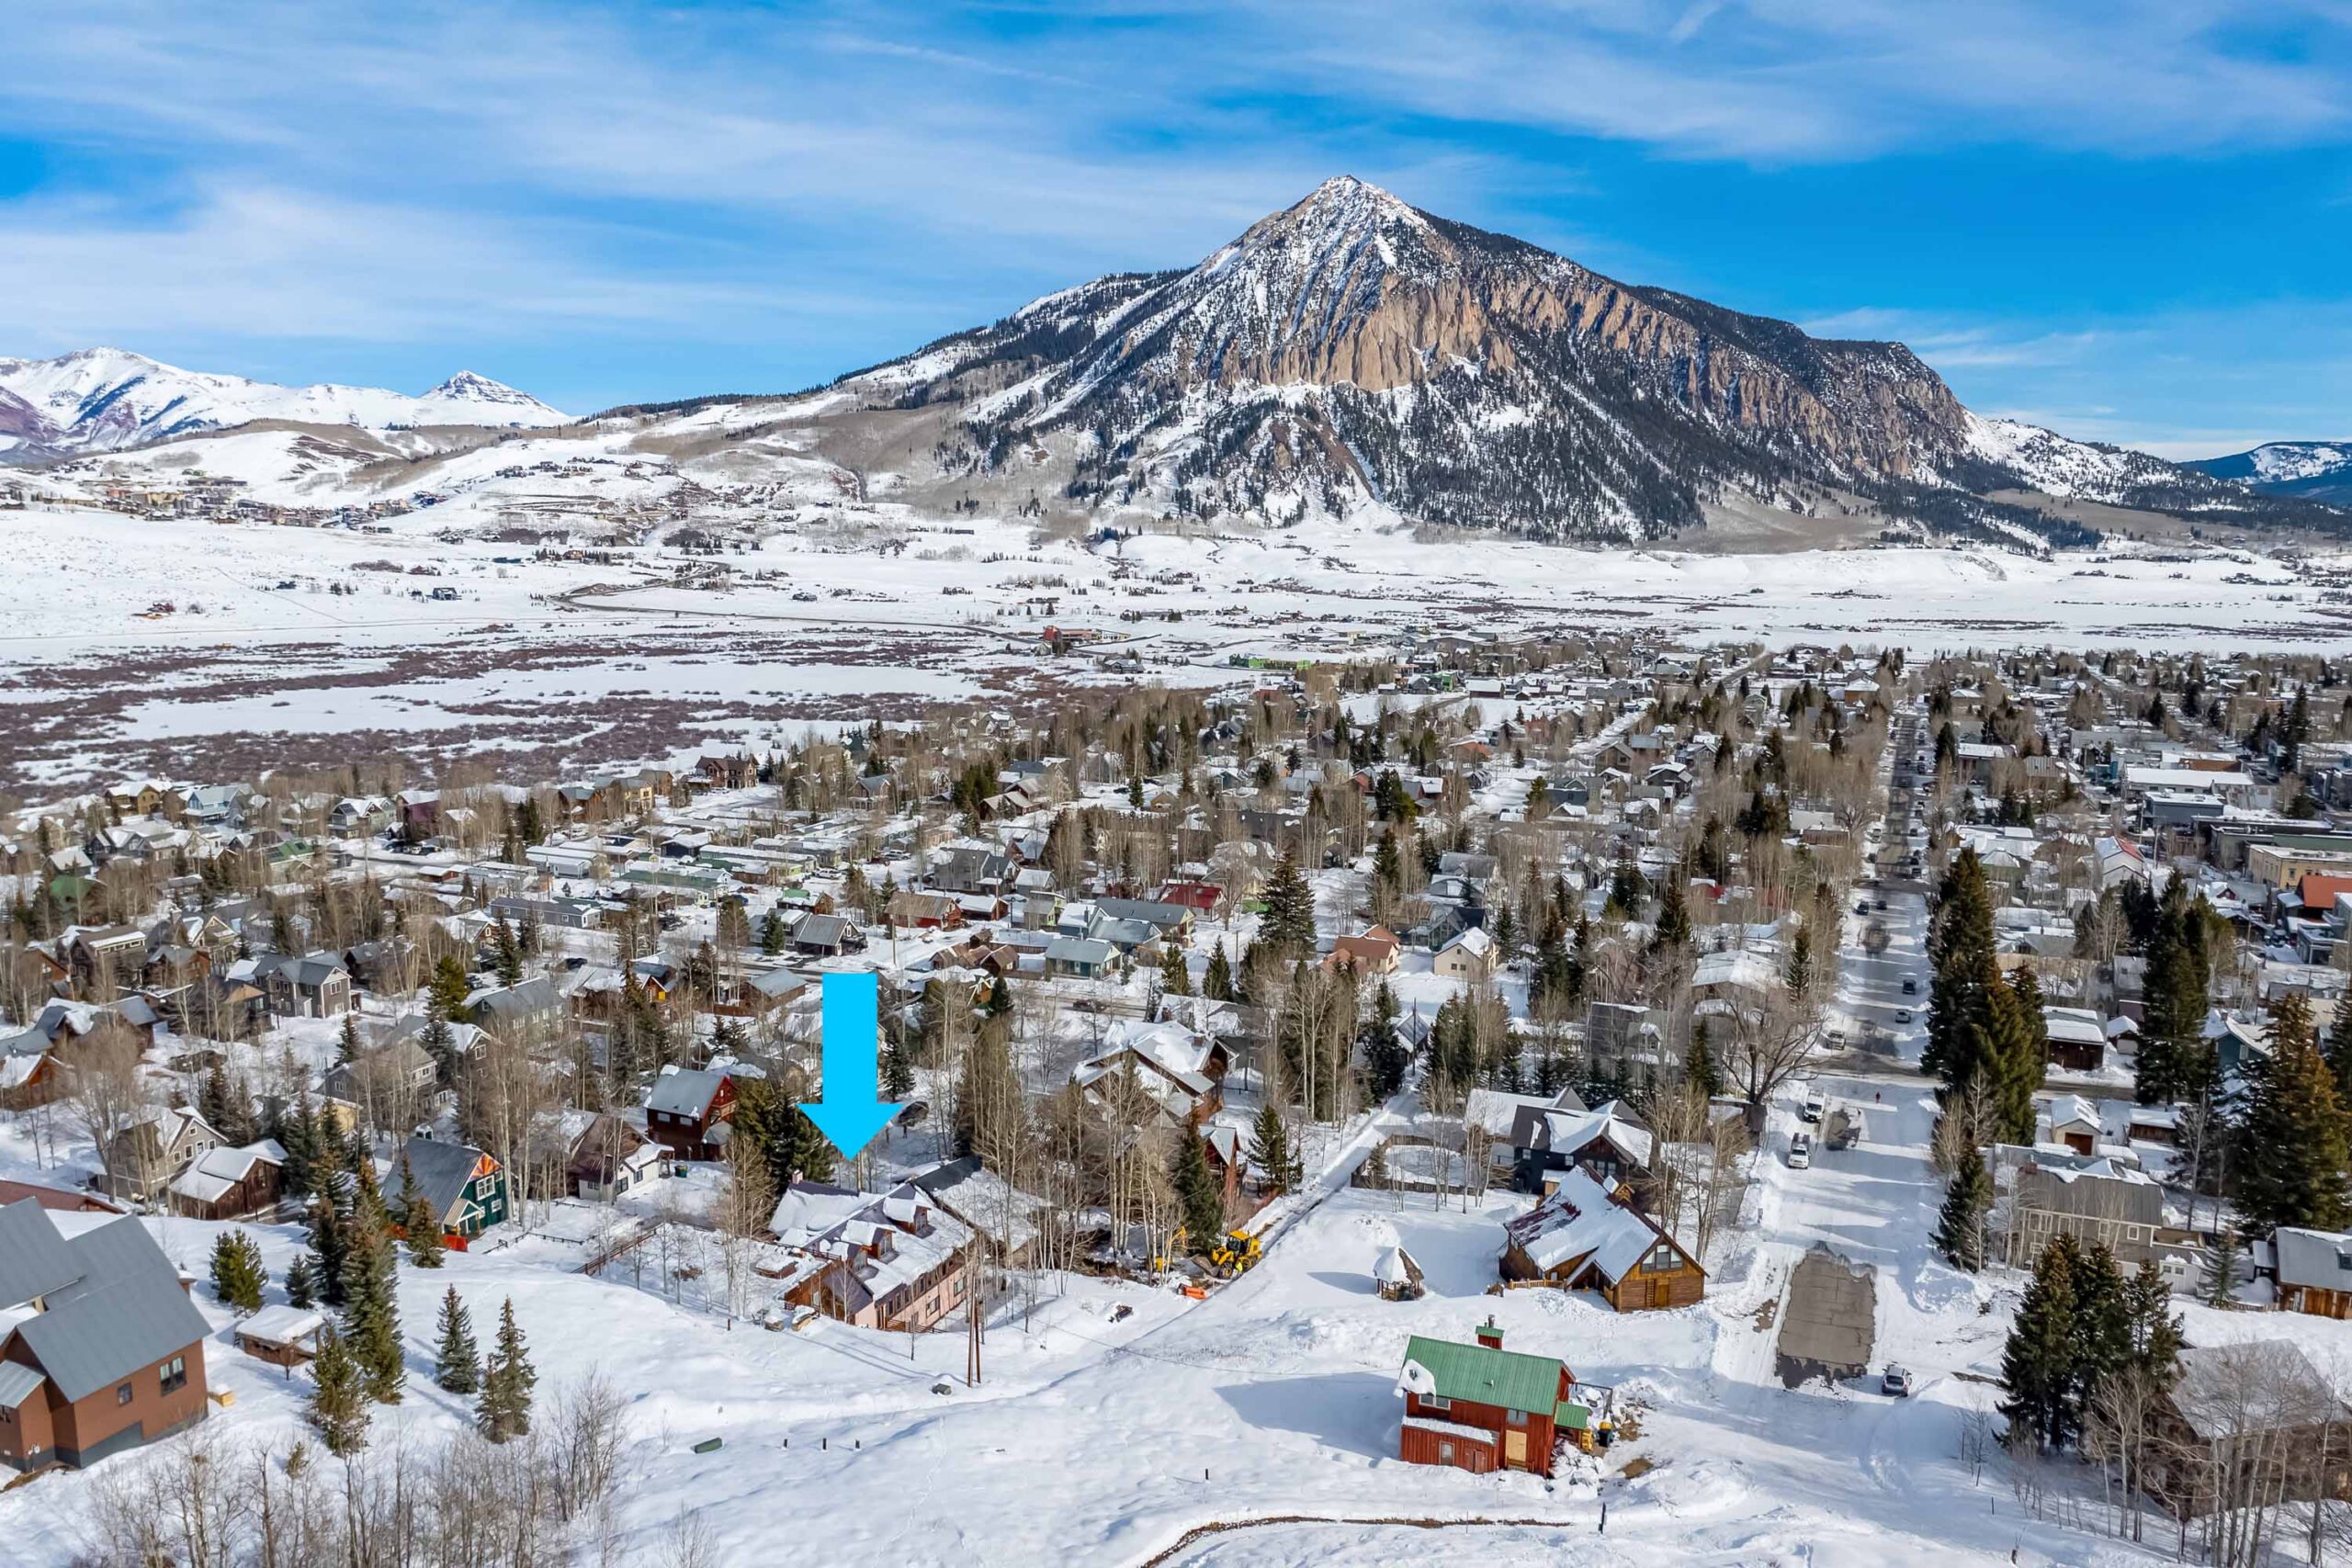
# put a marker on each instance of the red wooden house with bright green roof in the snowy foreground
(1483, 1407)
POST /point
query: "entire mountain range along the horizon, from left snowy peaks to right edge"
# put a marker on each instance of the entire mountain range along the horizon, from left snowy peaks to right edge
(1349, 356)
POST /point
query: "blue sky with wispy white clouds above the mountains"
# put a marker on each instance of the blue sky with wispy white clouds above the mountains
(2123, 220)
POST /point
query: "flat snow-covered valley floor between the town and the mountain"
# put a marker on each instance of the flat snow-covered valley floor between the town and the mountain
(128, 641)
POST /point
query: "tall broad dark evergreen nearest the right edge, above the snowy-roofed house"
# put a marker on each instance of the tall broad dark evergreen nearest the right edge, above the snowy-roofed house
(2292, 1165)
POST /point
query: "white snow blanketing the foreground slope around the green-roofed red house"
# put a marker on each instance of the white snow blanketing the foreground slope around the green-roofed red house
(1271, 1400)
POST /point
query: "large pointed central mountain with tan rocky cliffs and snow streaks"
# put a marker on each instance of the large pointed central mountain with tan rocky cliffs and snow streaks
(1361, 354)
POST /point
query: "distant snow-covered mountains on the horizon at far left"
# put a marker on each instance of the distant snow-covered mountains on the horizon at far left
(107, 401)
